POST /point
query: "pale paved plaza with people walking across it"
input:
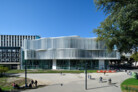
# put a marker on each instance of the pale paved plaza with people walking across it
(76, 82)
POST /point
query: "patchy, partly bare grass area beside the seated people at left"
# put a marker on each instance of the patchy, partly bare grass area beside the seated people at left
(6, 82)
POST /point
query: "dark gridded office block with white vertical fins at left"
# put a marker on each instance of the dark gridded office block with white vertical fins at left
(10, 49)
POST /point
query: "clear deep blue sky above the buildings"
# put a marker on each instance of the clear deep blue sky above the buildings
(49, 18)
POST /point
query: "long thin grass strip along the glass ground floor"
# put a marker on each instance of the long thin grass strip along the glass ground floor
(51, 71)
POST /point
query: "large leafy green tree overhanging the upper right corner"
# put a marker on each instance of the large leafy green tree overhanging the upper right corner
(120, 28)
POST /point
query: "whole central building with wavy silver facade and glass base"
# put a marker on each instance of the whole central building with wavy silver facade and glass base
(71, 52)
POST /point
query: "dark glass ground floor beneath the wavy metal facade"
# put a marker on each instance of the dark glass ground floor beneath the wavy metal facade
(64, 64)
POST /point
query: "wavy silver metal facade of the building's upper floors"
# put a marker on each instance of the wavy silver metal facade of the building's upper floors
(73, 47)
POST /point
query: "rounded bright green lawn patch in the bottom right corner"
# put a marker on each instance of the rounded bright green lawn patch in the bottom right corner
(131, 82)
